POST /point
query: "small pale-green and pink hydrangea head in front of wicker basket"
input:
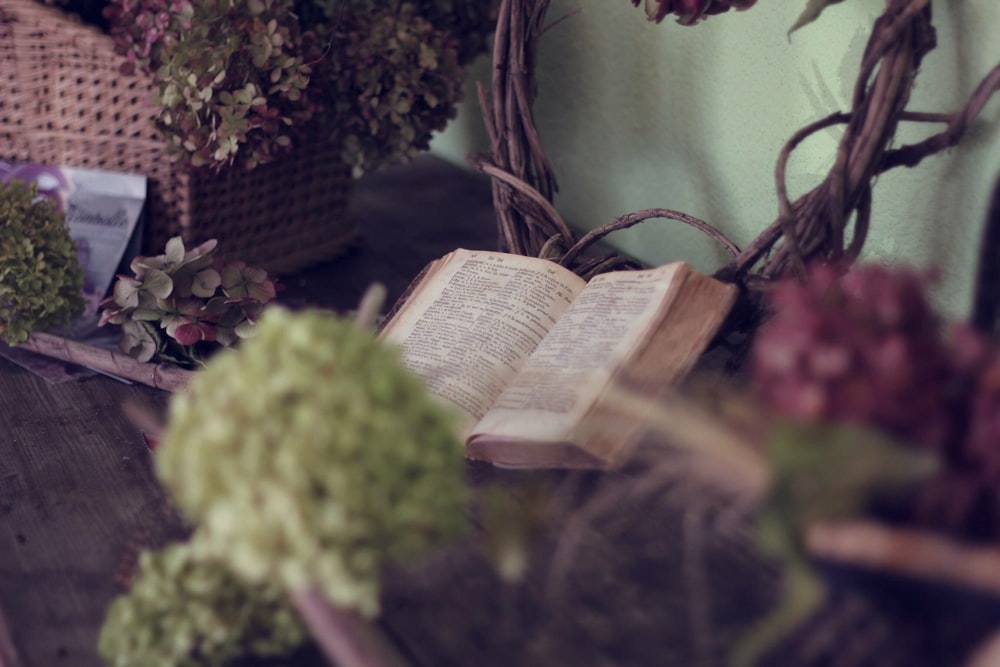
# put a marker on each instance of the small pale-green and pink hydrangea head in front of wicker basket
(183, 305)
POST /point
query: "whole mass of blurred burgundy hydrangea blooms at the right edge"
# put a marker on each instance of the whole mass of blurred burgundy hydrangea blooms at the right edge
(867, 347)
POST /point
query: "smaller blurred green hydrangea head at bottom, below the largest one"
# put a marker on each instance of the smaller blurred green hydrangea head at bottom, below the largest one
(185, 611)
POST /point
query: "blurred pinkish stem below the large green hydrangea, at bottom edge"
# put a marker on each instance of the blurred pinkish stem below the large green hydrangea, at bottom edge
(346, 639)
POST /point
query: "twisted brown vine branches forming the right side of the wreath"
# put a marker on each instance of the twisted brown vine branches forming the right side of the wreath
(814, 226)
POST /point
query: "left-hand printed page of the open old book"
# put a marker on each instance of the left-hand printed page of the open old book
(469, 329)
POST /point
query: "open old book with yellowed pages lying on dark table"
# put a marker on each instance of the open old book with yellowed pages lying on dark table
(525, 349)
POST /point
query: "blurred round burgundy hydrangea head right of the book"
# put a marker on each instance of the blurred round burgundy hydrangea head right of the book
(862, 347)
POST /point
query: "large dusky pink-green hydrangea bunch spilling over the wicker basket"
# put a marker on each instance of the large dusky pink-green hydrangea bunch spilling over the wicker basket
(240, 81)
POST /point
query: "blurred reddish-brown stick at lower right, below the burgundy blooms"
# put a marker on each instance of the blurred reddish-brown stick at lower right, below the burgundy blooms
(912, 553)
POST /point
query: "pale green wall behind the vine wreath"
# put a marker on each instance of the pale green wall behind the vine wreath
(636, 115)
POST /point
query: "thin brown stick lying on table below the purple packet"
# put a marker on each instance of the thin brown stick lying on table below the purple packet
(161, 376)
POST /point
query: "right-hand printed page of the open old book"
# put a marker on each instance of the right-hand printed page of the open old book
(568, 370)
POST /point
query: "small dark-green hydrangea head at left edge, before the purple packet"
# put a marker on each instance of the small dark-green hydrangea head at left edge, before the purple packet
(41, 282)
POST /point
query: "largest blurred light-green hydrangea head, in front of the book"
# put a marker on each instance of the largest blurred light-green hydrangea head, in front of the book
(311, 455)
